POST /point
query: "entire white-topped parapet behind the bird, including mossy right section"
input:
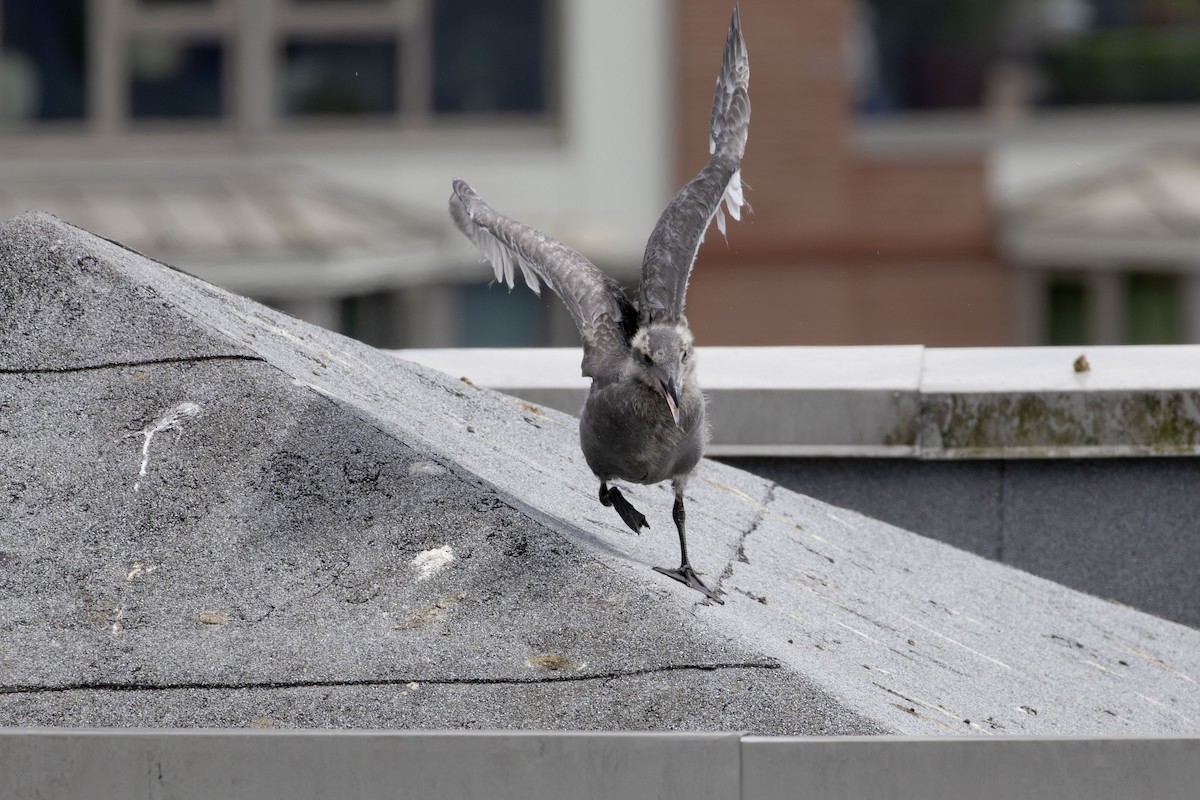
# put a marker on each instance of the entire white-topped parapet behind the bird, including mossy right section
(935, 404)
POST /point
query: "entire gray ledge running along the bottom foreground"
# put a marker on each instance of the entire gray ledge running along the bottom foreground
(121, 766)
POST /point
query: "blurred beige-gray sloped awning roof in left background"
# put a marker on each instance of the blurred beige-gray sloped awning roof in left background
(256, 228)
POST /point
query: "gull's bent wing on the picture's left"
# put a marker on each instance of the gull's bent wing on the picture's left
(597, 304)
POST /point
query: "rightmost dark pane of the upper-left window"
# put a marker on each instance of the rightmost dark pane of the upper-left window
(489, 57)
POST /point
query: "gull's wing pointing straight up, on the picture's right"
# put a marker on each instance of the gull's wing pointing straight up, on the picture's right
(680, 232)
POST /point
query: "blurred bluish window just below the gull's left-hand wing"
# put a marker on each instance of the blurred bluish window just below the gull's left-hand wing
(491, 316)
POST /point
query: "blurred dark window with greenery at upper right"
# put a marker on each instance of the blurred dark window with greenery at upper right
(943, 55)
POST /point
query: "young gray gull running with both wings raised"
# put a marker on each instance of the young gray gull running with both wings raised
(644, 420)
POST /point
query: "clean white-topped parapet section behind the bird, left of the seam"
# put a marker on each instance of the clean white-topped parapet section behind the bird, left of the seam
(763, 401)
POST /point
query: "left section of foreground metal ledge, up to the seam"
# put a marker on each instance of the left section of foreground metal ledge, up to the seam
(320, 765)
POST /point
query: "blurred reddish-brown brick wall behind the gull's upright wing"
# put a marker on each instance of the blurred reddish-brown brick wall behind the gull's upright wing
(842, 248)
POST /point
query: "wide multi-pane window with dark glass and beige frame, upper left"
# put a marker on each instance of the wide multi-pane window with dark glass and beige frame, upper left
(261, 67)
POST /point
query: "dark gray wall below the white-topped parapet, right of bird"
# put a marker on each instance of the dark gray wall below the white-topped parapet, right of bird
(1117, 528)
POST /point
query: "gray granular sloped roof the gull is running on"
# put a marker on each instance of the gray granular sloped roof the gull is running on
(295, 530)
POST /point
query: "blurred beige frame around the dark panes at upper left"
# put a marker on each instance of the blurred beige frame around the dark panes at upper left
(253, 35)
